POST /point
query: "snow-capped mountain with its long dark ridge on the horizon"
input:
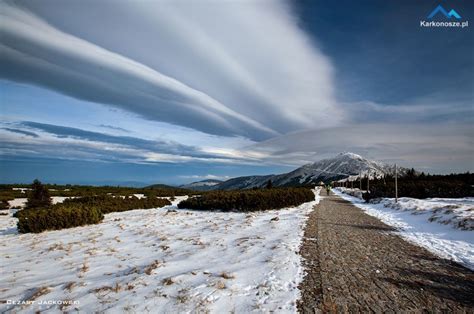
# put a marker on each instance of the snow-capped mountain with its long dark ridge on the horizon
(344, 165)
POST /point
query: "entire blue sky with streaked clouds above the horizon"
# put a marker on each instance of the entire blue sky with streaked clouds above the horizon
(129, 92)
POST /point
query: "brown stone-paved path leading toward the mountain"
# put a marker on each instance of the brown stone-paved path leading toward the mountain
(354, 263)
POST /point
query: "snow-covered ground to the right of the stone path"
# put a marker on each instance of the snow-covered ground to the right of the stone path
(440, 225)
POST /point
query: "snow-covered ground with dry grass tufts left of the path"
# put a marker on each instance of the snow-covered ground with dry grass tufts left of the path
(158, 260)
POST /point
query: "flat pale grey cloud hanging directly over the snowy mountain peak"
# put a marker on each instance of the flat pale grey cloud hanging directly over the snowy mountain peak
(434, 147)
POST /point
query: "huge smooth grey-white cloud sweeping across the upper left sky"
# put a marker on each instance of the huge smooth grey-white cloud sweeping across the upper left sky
(232, 69)
